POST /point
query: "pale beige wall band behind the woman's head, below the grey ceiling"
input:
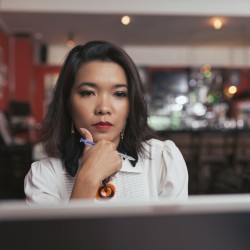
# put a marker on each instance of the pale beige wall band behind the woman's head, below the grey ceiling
(179, 56)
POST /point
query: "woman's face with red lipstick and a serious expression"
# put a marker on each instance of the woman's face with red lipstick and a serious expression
(99, 100)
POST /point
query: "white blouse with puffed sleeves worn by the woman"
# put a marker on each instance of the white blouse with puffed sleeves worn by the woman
(162, 174)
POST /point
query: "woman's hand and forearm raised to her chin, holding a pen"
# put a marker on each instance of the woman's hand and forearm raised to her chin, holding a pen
(99, 162)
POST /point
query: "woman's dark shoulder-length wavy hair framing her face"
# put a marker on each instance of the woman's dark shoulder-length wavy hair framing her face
(57, 123)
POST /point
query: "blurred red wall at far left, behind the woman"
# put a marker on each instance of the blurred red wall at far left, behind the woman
(25, 81)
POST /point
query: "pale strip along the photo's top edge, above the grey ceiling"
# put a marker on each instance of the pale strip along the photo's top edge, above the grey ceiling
(162, 7)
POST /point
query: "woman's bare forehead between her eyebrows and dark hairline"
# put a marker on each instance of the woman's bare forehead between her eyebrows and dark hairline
(101, 71)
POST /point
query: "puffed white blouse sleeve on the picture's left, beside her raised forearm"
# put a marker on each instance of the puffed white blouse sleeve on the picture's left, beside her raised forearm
(41, 184)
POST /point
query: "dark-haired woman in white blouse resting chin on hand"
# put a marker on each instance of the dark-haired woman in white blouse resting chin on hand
(99, 100)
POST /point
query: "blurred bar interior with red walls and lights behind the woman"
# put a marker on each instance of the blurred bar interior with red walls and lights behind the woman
(194, 60)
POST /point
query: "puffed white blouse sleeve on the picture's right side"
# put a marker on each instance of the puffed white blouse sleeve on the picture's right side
(173, 179)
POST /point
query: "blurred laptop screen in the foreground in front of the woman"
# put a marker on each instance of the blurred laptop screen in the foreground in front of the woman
(181, 226)
